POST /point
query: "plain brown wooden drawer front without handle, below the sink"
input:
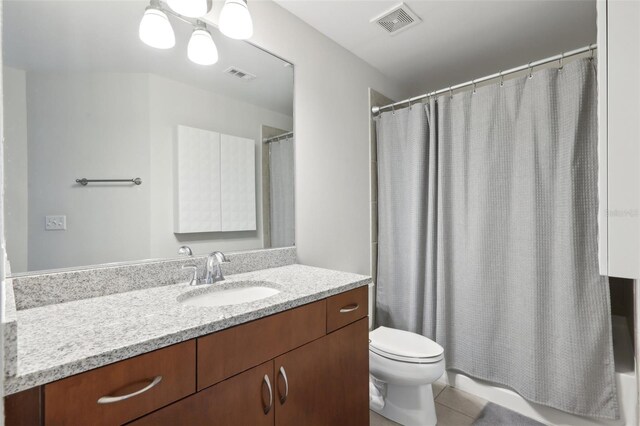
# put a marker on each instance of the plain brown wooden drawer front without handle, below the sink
(231, 351)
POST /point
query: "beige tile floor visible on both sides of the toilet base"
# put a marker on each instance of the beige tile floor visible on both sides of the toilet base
(453, 407)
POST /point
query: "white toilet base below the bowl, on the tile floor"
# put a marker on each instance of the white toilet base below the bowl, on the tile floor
(409, 405)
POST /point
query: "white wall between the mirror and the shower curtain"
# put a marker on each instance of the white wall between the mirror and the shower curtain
(332, 138)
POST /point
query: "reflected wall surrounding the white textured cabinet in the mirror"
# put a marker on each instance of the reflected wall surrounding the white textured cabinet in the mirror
(172, 103)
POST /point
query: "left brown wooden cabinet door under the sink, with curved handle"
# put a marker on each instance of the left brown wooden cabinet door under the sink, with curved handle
(245, 399)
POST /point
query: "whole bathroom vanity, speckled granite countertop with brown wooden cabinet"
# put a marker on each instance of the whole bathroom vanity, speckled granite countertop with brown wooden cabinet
(298, 356)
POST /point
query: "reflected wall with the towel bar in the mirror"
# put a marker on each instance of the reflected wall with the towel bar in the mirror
(94, 126)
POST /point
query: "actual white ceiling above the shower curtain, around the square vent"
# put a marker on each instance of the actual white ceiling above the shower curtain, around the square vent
(457, 40)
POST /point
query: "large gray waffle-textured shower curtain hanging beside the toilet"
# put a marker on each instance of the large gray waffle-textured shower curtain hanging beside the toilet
(488, 236)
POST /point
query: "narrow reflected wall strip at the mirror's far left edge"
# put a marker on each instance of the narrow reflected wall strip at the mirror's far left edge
(15, 154)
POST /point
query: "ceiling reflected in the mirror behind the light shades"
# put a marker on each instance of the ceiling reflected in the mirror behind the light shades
(102, 36)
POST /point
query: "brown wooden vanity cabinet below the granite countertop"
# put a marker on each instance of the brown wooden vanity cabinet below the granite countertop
(304, 366)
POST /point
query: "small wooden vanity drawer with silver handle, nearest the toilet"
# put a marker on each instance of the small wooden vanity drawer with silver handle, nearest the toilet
(347, 307)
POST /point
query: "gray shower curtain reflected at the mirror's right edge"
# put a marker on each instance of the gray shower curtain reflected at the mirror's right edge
(281, 173)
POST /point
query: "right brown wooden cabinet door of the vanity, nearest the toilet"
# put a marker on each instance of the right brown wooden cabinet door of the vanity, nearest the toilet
(325, 382)
